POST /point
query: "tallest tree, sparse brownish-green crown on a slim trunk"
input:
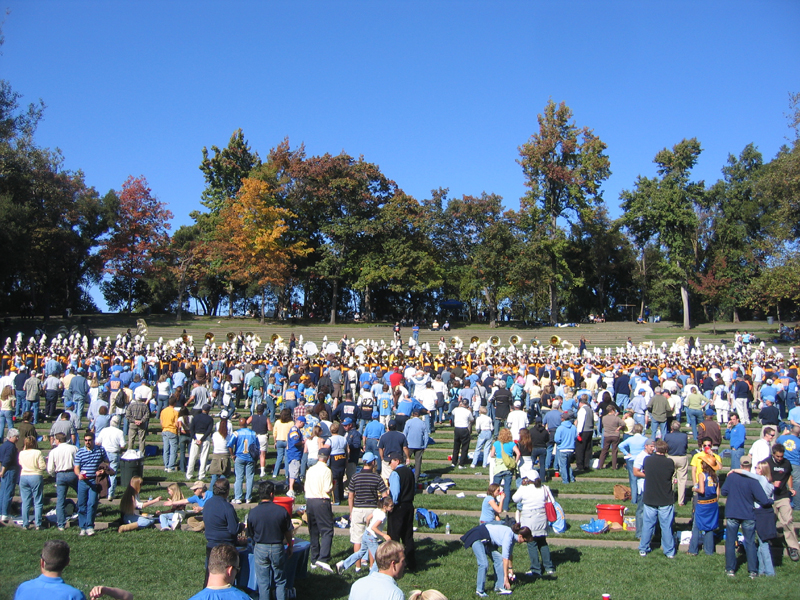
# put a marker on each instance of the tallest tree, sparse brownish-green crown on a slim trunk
(564, 168)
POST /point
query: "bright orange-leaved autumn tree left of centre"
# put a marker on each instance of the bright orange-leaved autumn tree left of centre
(251, 238)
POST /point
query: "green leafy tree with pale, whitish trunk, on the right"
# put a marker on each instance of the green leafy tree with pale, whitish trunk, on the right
(663, 208)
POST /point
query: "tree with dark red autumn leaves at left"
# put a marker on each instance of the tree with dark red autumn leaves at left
(137, 238)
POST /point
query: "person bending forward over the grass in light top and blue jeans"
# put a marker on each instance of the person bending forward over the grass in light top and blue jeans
(490, 537)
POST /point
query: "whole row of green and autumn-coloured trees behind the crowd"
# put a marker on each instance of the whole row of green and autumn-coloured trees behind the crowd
(337, 236)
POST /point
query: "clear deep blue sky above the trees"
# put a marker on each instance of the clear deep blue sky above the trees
(438, 94)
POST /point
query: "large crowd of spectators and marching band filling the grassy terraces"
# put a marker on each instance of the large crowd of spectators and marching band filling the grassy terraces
(350, 421)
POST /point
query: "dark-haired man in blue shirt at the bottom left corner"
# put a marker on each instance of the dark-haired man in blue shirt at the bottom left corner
(53, 560)
